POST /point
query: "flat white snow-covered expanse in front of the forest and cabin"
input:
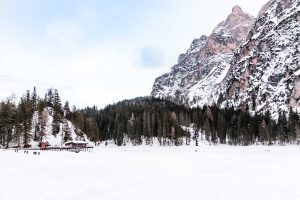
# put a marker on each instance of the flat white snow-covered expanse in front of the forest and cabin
(138, 173)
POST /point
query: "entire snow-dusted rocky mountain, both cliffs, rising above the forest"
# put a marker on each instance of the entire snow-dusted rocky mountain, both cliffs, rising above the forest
(245, 61)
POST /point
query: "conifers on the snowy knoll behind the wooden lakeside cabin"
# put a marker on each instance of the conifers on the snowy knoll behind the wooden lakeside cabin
(27, 120)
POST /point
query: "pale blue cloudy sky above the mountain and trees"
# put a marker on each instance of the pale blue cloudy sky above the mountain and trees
(99, 52)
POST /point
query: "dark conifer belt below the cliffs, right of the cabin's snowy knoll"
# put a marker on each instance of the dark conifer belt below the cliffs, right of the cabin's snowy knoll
(147, 118)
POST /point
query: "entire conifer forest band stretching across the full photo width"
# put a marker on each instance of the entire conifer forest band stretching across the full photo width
(141, 120)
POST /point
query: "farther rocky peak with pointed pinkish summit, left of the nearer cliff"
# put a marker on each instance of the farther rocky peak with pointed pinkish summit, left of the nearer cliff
(194, 78)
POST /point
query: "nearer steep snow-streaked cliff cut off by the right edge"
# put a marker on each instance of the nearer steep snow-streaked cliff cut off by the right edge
(265, 71)
